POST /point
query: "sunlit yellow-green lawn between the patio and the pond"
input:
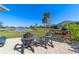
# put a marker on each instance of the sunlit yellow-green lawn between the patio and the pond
(37, 33)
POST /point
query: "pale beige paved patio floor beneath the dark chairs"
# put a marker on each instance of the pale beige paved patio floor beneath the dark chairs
(59, 48)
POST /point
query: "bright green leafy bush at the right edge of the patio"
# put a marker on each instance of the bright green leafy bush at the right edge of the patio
(74, 29)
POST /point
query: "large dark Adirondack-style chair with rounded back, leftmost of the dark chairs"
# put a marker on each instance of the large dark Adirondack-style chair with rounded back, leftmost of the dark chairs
(27, 42)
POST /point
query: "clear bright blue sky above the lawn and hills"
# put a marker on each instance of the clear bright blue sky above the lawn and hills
(31, 14)
